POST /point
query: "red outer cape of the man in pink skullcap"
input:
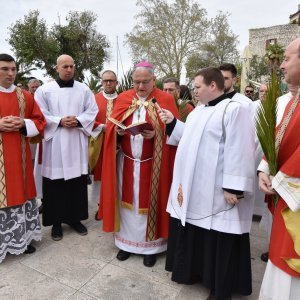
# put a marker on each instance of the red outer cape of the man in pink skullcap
(108, 194)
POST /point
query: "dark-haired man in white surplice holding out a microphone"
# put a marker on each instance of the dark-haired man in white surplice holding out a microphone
(211, 198)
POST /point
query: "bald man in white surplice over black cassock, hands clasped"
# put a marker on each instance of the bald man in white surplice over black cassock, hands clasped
(70, 110)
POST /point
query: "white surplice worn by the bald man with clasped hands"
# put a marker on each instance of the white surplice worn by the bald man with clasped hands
(65, 150)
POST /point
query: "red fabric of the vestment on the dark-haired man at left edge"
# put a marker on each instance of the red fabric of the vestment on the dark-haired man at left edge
(12, 149)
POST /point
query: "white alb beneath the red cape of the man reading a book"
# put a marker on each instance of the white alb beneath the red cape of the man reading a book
(133, 226)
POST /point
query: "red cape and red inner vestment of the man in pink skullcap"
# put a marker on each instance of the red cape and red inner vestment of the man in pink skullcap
(108, 194)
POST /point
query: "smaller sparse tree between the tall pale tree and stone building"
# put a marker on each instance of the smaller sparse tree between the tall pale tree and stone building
(219, 47)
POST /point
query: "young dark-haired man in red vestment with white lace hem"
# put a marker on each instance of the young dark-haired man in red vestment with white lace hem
(20, 118)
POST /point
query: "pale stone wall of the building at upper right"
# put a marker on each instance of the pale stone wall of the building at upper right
(283, 33)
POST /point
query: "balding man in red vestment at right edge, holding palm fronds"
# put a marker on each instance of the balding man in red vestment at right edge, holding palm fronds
(282, 275)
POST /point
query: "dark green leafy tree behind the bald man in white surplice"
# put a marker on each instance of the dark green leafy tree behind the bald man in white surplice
(35, 45)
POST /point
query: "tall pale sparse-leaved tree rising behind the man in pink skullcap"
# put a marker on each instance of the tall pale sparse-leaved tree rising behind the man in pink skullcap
(167, 34)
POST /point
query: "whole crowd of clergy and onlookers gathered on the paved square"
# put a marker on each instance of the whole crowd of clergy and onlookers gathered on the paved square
(185, 185)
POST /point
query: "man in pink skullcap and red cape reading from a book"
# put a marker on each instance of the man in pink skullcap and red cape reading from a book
(135, 184)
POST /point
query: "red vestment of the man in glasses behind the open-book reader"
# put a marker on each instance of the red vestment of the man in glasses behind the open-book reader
(100, 119)
